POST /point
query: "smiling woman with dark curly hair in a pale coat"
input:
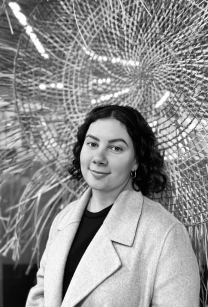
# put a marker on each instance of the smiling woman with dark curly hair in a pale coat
(114, 246)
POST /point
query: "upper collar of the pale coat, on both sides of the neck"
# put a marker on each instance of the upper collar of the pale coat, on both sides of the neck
(122, 220)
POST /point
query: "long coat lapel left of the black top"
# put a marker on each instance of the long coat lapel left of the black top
(59, 250)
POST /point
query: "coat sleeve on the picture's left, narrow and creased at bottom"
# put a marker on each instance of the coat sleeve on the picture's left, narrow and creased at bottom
(36, 294)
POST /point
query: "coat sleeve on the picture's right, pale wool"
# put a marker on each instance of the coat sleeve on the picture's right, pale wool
(177, 280)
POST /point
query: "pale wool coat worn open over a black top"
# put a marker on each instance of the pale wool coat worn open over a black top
(140, 257)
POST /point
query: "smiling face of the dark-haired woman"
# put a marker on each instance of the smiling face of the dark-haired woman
(107, 156)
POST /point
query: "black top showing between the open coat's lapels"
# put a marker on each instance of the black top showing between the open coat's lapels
(89, 225)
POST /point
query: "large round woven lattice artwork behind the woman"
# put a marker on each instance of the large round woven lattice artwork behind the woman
(151, 55)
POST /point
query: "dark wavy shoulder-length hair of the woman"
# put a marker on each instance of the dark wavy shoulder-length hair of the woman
(150, 175)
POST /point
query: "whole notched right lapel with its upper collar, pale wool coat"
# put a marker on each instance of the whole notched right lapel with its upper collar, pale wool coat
(101, 259)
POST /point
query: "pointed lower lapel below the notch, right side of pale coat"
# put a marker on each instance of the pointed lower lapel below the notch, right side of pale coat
(98, 263)
